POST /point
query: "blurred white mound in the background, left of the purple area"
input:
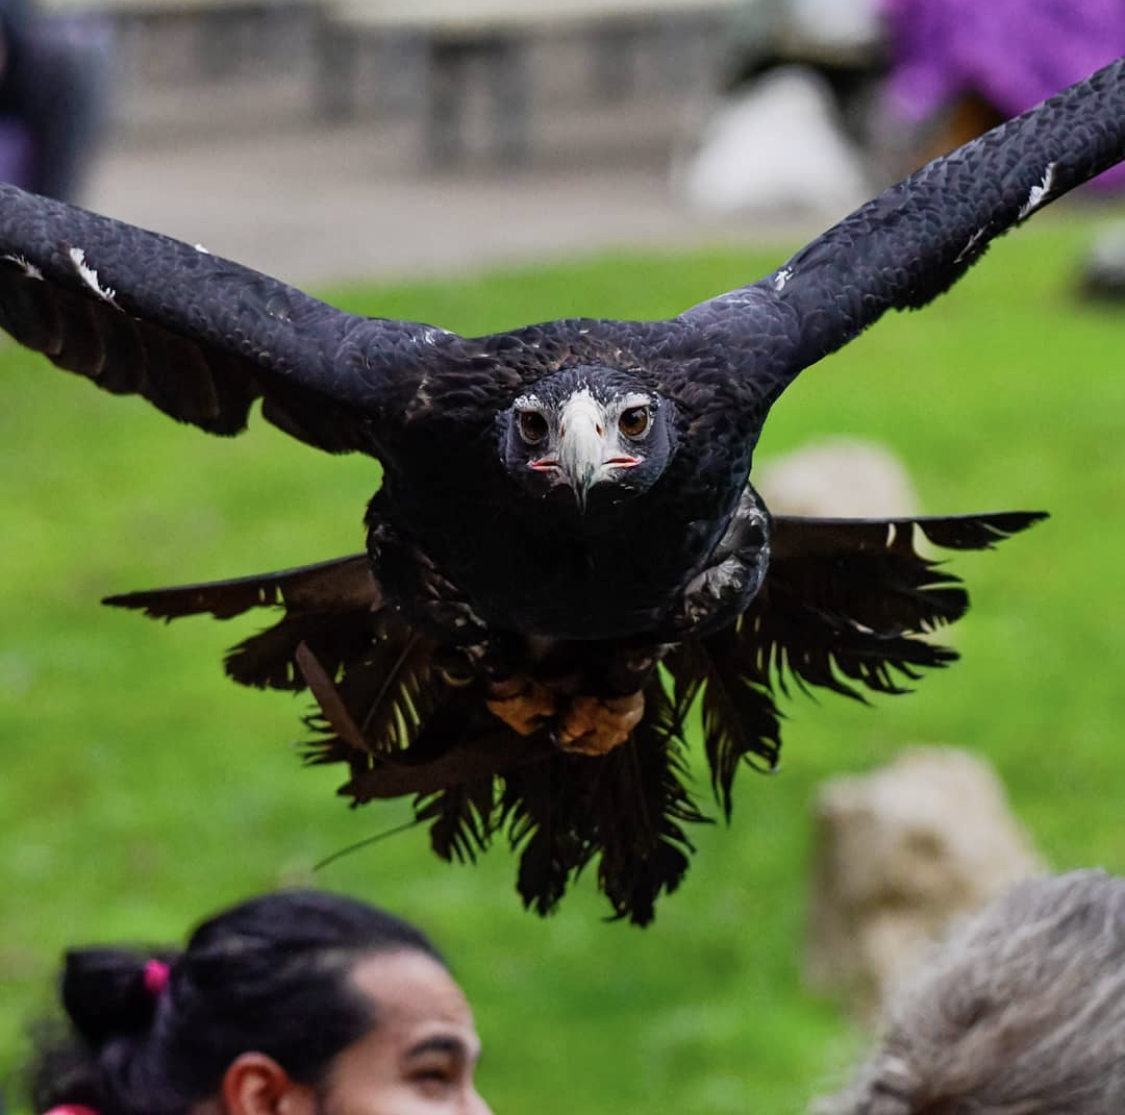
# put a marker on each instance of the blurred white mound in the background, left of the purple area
(776, 148)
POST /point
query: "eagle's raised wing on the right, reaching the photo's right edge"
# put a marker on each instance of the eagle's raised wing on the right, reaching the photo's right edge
(919, 238)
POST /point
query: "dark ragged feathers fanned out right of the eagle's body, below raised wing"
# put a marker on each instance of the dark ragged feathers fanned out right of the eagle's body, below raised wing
(847, 606)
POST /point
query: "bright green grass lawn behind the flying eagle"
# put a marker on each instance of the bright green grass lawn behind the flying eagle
(141, 789)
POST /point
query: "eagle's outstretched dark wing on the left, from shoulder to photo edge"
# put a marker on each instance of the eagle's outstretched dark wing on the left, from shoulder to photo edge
(197, 336)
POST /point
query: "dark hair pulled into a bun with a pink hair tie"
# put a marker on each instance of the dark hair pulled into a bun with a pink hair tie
(269, 976)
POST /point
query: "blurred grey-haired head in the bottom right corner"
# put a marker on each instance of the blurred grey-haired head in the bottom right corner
(1022, 1012)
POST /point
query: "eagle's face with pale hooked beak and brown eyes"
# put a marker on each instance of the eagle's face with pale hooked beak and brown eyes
(586, 429)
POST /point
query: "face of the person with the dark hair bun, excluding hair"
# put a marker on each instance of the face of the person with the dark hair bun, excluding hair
(420, 1056)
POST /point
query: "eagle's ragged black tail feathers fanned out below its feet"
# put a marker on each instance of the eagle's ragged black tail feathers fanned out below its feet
(625, 811)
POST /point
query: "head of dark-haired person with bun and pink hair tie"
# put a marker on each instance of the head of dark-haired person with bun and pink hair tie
(299, 1003)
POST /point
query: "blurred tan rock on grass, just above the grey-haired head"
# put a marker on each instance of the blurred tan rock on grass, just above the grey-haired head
(898, 855)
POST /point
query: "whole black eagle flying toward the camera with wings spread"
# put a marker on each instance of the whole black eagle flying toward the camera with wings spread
(564, 553)
